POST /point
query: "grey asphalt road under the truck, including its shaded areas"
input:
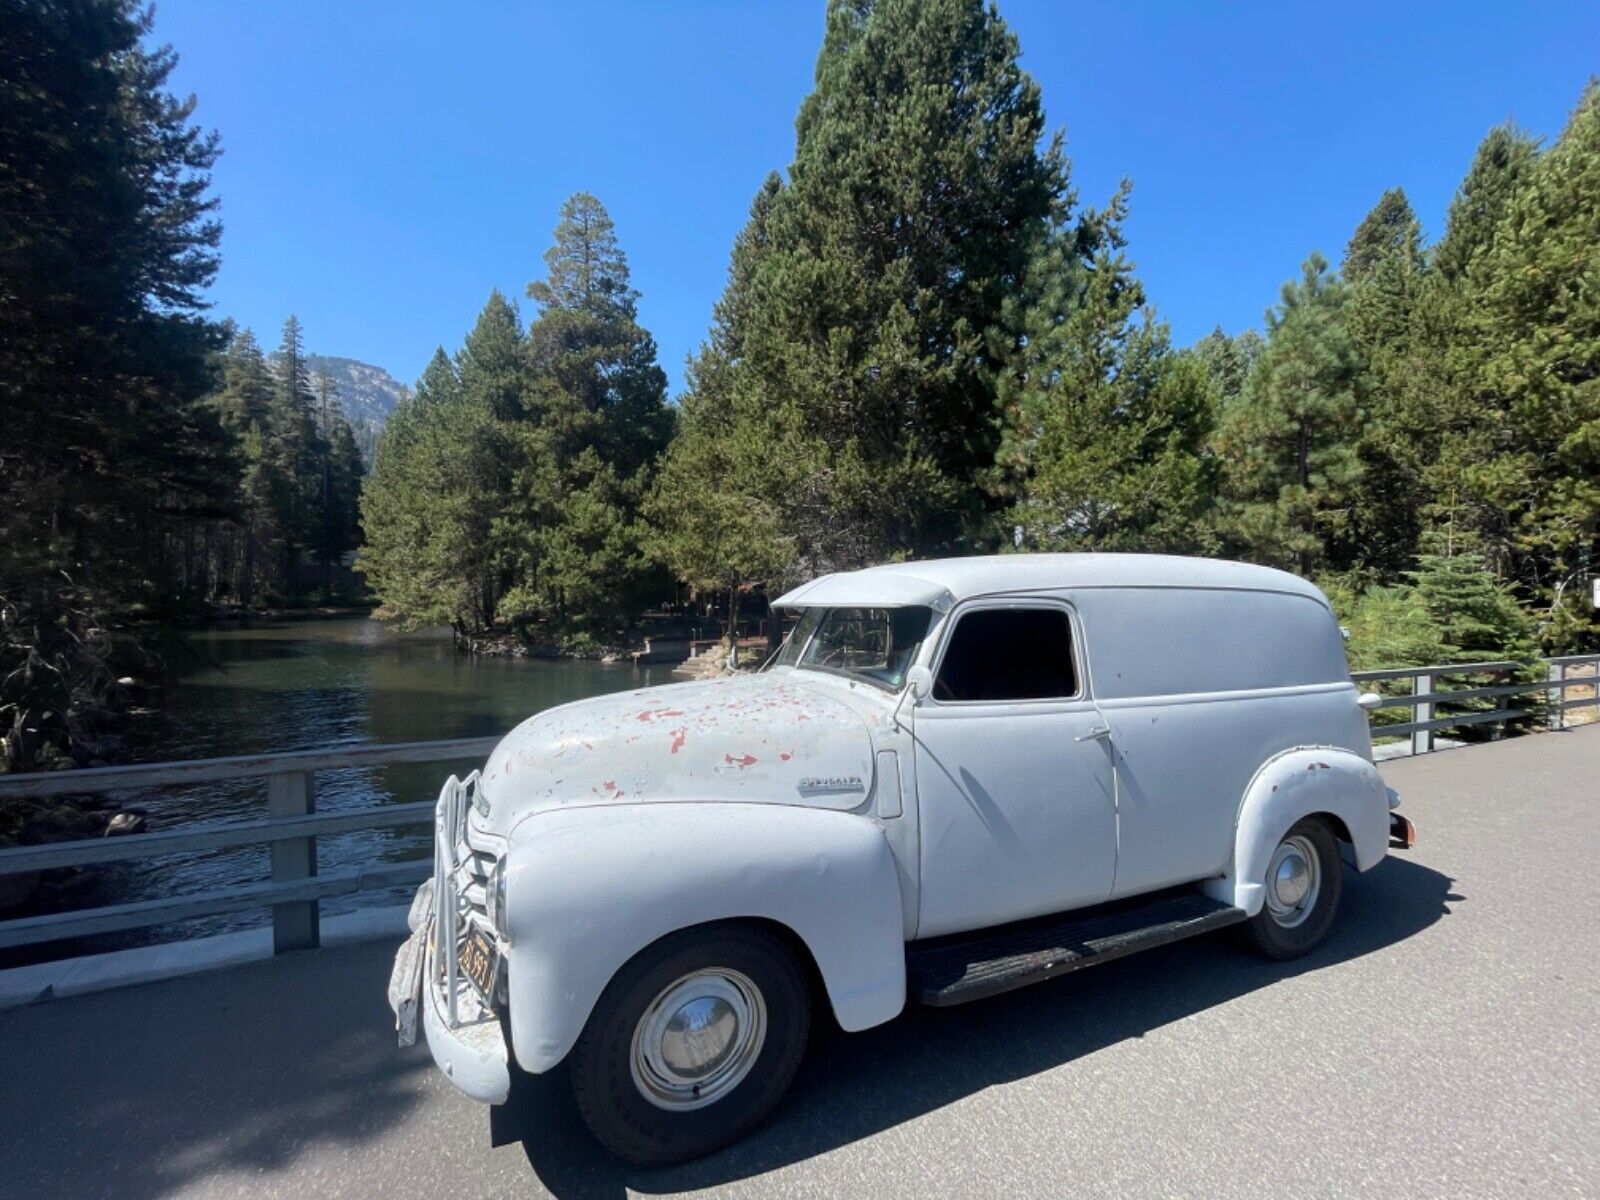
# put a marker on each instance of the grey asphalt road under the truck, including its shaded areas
(1444, 1042)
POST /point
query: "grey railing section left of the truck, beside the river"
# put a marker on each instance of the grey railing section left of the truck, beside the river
(290, 831)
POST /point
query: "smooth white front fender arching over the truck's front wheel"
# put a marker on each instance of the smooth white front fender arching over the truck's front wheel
(588, 889)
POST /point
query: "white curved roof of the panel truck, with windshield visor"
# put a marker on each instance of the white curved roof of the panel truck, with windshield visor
(942, 583)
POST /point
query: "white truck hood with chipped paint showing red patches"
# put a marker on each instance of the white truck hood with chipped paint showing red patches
(750, 738)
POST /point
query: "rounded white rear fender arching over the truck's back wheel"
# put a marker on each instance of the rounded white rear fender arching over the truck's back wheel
(1292, 786)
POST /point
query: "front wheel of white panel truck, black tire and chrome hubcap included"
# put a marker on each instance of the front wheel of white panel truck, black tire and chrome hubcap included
(692, 1044)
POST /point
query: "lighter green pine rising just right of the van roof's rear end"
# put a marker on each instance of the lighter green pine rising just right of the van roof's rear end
(1290, 446)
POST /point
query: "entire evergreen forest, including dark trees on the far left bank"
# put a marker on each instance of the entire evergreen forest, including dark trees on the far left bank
(929, 345)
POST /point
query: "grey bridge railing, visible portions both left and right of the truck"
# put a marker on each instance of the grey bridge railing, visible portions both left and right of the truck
(292, 823)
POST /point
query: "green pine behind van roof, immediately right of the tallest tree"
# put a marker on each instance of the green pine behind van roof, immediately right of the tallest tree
(1103, 423)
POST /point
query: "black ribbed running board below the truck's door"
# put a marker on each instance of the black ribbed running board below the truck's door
(977, 966)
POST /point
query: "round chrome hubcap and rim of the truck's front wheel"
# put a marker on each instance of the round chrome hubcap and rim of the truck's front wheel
(698, 1039)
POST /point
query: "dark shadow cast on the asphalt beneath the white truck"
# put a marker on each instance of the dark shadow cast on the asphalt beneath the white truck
(857, 1086)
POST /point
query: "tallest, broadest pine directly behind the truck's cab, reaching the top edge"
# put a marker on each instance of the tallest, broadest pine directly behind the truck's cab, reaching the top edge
(914, 199)
